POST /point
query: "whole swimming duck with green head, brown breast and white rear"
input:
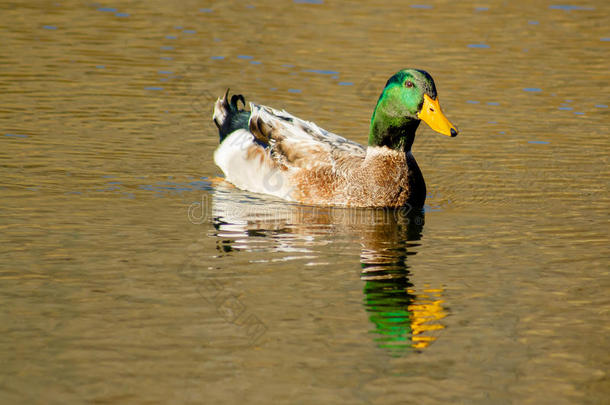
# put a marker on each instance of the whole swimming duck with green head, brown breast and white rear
(273, 152)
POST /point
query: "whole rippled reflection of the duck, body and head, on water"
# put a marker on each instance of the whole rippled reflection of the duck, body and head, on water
(404, 317)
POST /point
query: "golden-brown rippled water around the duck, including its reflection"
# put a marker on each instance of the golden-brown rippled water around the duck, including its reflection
(132, 273)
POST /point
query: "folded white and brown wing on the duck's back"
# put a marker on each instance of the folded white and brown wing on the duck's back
(298, 143)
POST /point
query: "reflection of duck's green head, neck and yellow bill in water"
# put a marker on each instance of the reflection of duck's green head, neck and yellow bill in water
(404, 317)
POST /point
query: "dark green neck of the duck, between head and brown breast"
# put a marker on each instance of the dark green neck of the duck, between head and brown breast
(396, 133)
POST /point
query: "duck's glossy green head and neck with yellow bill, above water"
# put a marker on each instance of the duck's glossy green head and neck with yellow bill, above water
(408, 97)
